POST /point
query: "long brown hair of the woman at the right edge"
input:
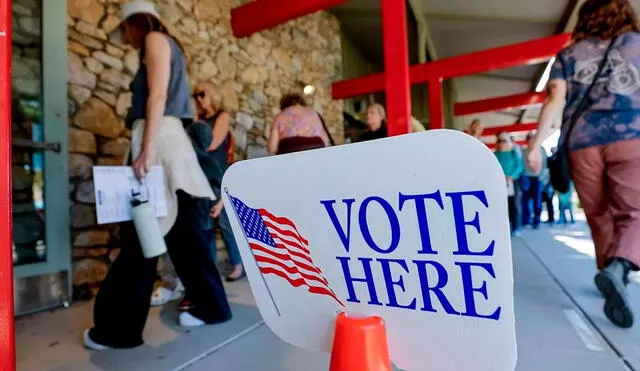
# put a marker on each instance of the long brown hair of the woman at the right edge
(605, 19)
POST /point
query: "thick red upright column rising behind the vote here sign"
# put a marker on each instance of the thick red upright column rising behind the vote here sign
(396, 65)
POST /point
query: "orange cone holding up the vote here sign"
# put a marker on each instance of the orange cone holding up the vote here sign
(360, 344)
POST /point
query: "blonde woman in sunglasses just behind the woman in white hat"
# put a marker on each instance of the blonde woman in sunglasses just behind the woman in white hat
(213, 141)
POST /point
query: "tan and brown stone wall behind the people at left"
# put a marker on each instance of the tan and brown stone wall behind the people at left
(250, 75)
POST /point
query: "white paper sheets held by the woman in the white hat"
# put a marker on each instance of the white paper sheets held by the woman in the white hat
(114, 187)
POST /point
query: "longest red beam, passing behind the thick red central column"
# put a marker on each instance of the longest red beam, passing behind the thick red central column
(530, 52)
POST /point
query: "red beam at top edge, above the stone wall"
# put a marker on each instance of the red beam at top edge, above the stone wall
(260, 15)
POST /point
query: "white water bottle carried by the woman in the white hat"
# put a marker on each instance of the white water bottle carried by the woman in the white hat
(146, 223)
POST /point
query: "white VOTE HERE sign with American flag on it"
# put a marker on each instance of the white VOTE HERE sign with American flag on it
(411, 228)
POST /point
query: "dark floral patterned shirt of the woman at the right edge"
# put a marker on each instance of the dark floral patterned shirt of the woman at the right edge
(614, 112)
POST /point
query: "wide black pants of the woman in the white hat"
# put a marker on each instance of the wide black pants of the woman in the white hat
(122, 304)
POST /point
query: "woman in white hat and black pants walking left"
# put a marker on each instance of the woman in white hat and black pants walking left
(160, 103)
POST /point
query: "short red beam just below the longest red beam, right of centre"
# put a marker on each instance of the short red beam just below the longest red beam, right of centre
(495, 104)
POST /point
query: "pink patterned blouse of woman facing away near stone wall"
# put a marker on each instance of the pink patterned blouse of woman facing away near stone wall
(298, 121)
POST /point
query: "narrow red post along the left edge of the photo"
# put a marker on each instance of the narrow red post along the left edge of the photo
(7, 334)
